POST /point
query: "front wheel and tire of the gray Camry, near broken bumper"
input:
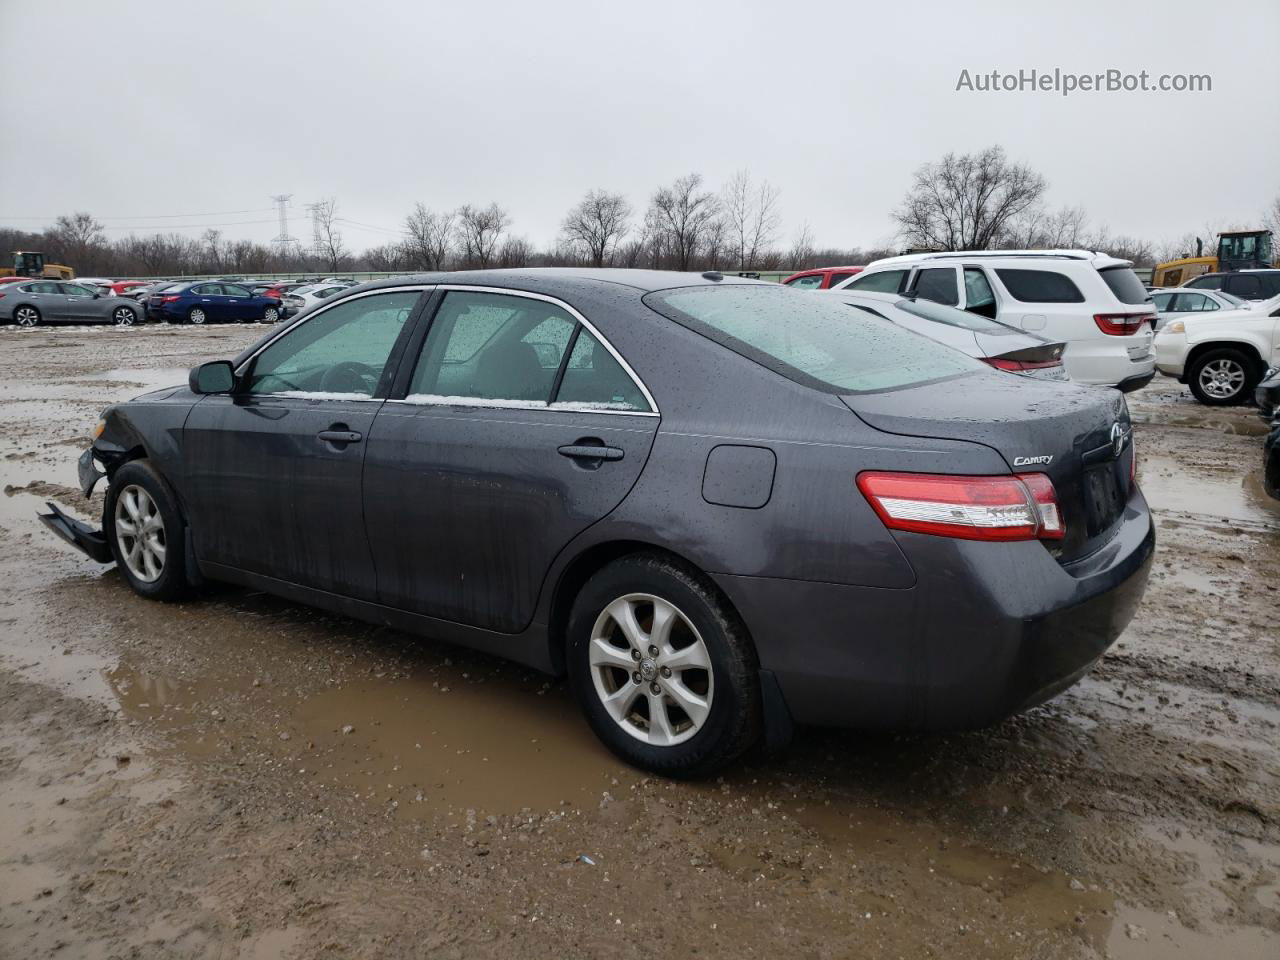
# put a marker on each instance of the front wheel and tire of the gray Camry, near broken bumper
(147, 533)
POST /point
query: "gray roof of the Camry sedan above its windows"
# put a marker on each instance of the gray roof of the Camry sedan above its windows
(568, 280)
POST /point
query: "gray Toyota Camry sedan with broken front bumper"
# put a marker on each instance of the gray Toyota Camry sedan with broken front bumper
(723, 508)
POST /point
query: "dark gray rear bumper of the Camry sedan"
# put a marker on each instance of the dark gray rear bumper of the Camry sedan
(988, 632)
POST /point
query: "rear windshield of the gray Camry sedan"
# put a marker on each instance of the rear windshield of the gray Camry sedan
(812, 340)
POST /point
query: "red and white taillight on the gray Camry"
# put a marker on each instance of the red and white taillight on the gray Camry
(1022, 508)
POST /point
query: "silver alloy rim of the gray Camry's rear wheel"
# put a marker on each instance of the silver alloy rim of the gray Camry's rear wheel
(652, 670)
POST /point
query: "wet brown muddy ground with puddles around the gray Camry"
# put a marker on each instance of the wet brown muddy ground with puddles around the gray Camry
(243, 778)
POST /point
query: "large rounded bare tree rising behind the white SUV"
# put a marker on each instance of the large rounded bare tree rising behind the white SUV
(966, 202)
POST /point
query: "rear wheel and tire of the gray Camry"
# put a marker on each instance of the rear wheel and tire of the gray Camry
(664, 668)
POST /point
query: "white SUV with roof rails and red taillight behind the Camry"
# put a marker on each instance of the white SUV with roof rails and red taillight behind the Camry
(1091, 301)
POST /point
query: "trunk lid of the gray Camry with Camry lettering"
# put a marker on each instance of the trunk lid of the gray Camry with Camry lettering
(1080, 437)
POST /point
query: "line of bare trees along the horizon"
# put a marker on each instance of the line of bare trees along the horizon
(962, 202)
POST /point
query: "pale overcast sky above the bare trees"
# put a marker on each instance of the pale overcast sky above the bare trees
(139, 112)
